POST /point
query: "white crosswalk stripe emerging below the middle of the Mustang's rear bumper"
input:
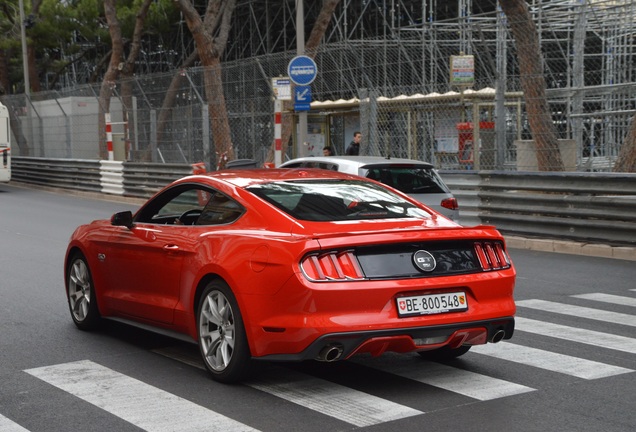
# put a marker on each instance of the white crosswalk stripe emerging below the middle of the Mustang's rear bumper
(471, 384)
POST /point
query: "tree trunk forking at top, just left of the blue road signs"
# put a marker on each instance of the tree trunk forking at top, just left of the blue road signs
(210, 36)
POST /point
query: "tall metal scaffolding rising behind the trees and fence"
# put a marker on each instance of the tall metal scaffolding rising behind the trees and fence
(377, 49)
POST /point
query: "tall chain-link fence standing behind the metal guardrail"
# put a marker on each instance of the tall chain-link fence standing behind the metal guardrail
(447, 92)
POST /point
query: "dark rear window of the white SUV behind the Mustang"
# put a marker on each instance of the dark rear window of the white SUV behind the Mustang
(407, 179)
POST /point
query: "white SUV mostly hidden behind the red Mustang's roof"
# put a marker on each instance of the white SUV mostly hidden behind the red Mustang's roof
(415, 178)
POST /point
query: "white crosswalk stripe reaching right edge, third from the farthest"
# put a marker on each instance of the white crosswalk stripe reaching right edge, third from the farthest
(589, 337)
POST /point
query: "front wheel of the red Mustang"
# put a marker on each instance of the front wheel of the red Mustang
(80, 292)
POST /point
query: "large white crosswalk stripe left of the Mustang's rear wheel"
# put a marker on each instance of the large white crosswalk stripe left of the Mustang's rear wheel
(141, 404)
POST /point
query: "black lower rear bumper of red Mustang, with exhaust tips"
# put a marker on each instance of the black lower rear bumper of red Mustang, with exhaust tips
(341, 346)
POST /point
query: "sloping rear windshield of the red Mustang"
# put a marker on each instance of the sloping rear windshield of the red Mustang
(336, 200)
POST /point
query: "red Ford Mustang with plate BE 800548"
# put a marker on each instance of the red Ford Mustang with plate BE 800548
(293, 264)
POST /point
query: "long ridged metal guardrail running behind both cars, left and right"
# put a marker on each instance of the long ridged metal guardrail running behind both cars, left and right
(588, 207)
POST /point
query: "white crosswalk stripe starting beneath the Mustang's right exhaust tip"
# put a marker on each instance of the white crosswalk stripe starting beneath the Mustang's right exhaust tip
(578, 367)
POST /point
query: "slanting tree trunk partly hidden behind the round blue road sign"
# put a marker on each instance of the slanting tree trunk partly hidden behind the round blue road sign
(311, 49)
